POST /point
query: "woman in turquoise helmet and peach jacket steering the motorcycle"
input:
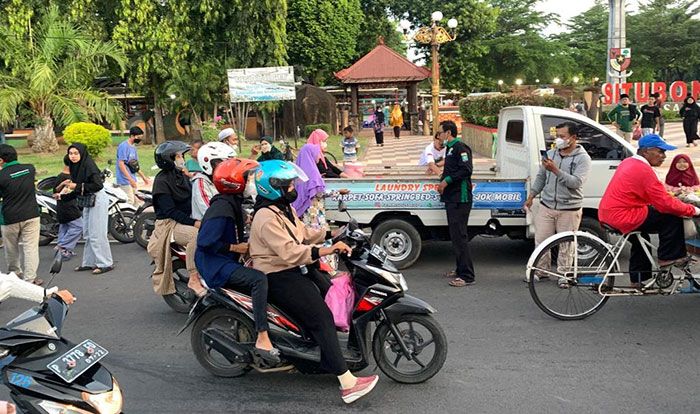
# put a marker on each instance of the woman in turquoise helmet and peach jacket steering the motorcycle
(282, 247)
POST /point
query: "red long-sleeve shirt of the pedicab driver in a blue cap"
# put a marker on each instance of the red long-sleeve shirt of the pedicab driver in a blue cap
(632, 189)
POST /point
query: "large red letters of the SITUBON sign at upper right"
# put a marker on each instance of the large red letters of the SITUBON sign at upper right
(639, 91)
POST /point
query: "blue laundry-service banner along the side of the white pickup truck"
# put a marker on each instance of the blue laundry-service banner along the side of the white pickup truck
(413, 195)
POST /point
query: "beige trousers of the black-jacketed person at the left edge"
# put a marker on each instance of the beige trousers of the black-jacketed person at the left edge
(22, 236)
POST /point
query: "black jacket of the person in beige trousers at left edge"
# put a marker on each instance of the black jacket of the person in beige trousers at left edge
(18, 192)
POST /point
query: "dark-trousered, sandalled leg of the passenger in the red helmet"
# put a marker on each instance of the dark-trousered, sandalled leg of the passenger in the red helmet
(258, 285)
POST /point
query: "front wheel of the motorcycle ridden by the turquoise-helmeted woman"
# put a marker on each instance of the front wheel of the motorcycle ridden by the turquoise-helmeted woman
(426, 344)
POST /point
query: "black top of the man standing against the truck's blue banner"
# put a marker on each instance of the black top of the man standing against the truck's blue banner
(457, 173)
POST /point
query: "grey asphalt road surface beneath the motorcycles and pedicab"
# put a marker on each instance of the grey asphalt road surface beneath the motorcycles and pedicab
(505, 355)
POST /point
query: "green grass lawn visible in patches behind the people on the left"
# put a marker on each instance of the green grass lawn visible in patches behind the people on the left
(48, 165)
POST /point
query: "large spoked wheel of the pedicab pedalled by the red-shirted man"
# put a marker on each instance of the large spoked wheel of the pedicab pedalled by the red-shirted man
(559, 292)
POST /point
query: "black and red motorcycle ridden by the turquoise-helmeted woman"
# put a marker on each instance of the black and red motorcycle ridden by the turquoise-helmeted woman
(408, 345)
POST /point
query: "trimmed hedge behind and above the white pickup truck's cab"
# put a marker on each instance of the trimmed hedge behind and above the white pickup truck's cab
(484, 110)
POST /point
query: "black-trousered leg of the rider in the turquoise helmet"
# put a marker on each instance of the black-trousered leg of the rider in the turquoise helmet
(299, 297)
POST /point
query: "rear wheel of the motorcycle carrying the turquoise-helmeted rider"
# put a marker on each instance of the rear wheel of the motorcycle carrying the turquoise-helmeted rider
(232, 323)
